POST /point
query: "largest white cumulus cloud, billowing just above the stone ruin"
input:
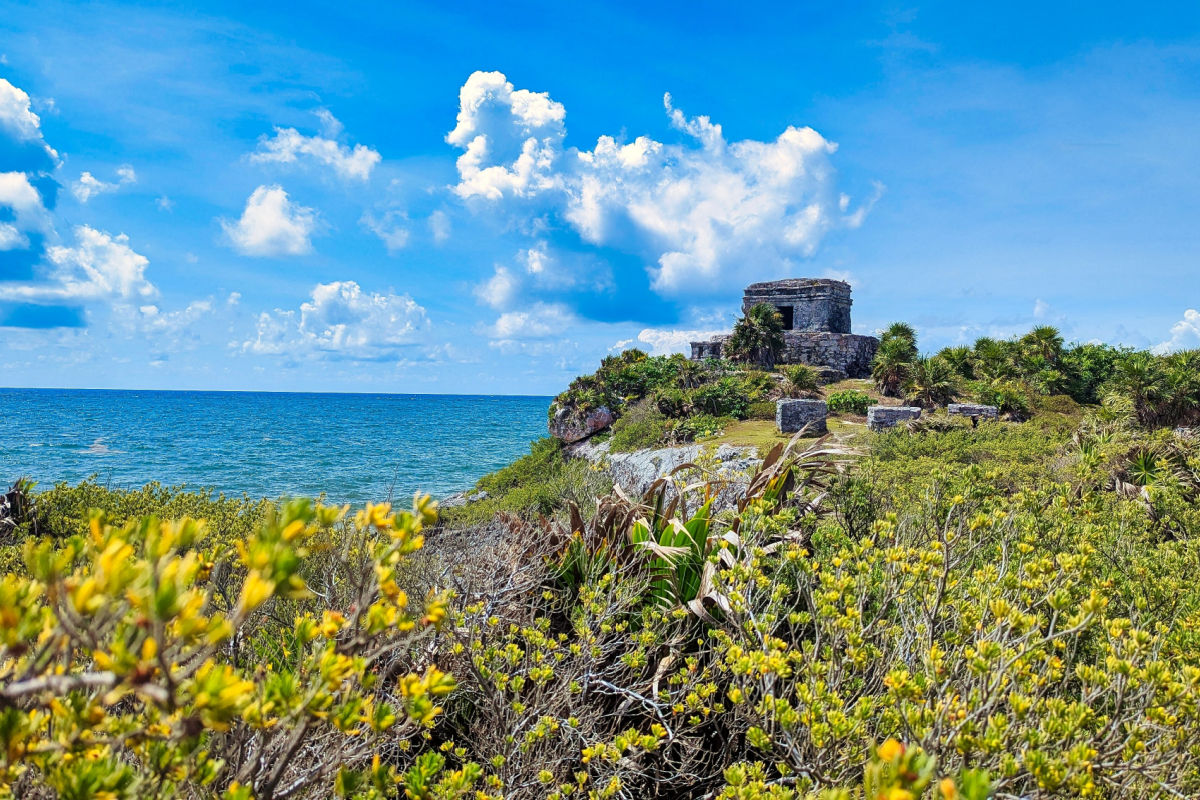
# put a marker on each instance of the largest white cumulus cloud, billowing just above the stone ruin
(706, 215)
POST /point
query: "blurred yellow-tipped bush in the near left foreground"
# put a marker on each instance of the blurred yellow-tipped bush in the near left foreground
(129, 667)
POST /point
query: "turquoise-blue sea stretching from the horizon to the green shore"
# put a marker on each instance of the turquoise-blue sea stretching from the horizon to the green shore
(355, 448)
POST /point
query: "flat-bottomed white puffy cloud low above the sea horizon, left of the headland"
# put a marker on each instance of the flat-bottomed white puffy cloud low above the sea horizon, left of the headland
(341, 321)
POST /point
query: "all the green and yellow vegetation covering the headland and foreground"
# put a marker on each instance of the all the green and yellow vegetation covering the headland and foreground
(943, 612)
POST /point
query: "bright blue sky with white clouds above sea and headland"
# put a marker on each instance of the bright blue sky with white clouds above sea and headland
(489, 199)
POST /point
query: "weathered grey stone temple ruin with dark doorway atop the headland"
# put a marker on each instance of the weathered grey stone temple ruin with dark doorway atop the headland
(817, 327)
